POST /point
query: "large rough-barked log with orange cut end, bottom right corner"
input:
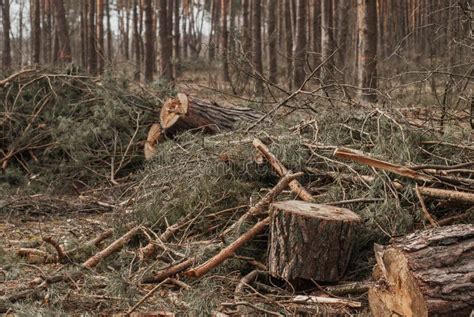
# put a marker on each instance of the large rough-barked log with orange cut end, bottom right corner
(427, 273)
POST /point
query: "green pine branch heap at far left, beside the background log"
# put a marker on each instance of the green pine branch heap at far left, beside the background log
(68, 128)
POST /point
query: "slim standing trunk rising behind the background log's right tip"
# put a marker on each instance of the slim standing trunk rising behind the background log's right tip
(257, 45)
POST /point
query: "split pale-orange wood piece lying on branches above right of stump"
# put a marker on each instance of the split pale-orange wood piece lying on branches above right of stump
(362, 158)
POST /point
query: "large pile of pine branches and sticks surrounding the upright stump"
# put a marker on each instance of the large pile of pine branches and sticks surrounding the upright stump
(188, 211)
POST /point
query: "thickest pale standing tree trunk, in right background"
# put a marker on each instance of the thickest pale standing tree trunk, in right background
(367, 65)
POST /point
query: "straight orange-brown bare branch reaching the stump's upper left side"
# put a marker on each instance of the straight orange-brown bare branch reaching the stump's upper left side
(228, 251)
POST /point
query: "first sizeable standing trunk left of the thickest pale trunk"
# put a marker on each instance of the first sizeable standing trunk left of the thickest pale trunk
(327, 41)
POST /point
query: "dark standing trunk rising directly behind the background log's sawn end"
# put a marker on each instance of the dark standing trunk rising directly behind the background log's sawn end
(165, 43)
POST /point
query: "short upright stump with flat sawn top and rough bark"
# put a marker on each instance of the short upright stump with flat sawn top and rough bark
(310, 241)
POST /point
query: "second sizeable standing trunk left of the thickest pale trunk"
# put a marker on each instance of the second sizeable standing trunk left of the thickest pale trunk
(300, 43)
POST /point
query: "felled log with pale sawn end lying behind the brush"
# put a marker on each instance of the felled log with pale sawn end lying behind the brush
(188, 113)
